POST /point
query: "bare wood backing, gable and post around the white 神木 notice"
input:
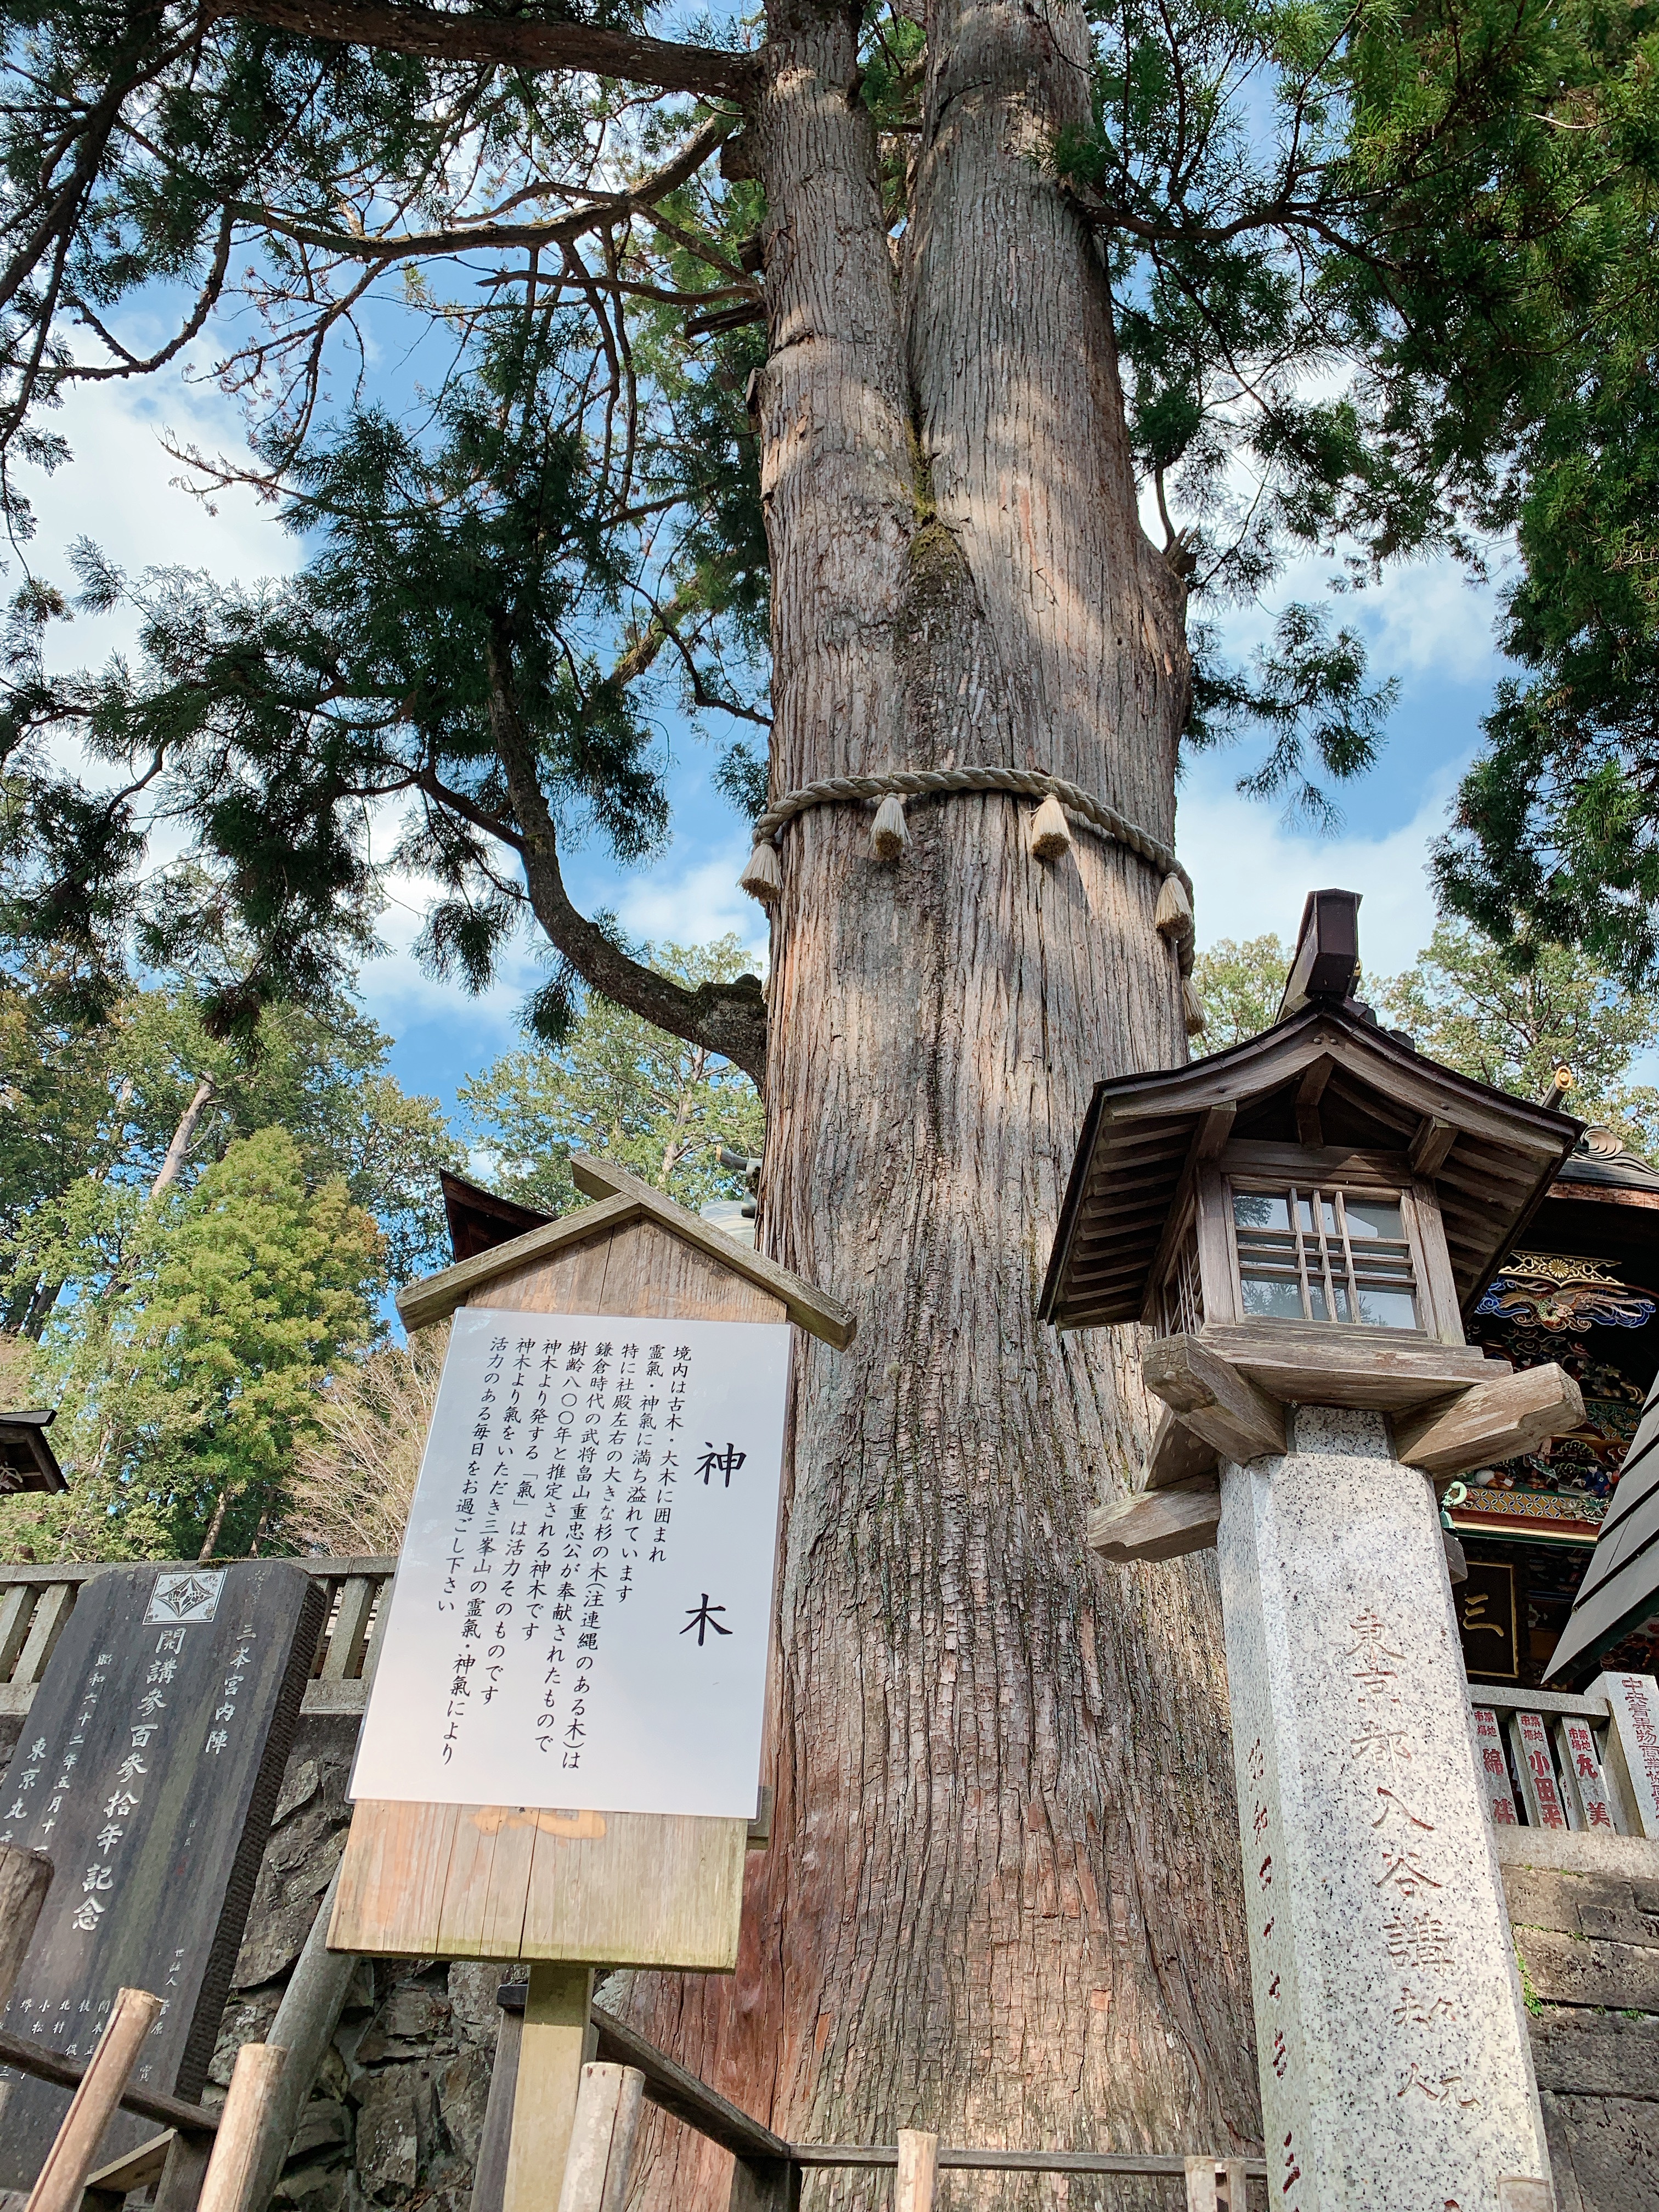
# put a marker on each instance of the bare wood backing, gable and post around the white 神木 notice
(572, 1886)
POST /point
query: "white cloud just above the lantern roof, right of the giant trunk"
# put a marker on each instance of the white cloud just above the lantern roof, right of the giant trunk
(1253, 873)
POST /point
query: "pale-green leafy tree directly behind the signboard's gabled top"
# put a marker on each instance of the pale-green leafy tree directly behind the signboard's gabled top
(627, 1092)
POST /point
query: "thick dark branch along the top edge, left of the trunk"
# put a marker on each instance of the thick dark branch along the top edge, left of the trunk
(463, 36)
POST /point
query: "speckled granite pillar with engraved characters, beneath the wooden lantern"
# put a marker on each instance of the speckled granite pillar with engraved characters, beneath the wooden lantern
(1395, 2058)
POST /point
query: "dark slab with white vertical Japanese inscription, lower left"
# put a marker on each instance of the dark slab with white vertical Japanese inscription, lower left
(149, 1768)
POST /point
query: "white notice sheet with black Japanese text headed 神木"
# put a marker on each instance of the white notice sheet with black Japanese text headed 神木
(585, 1594)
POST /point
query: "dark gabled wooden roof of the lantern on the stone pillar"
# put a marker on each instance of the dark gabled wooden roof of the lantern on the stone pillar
(1499, 1154)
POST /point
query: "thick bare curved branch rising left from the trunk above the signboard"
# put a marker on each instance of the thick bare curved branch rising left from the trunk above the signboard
(727, 1019)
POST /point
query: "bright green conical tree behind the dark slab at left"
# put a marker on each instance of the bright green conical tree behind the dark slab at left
(189, 1384)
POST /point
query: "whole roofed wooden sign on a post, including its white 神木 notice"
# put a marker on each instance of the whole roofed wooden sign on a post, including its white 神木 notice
(559, 1879)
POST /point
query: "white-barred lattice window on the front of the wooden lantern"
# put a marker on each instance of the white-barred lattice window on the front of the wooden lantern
(1324, 1255)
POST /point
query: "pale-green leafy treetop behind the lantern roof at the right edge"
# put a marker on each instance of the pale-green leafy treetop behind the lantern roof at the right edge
(1472, 1010)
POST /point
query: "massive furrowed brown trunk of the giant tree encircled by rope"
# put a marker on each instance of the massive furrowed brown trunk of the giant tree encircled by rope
(1003, 1888)
